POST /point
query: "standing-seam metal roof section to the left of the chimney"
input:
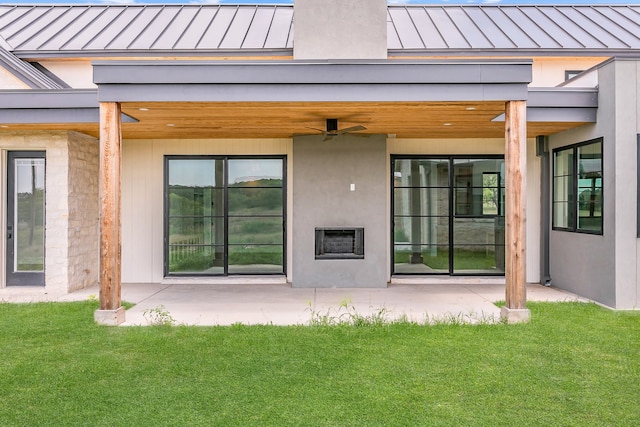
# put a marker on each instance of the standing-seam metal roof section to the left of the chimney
(145, 27)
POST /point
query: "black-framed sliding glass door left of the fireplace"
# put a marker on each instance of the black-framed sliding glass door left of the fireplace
(224, 215)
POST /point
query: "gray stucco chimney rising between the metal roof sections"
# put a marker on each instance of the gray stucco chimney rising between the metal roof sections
(340, 29)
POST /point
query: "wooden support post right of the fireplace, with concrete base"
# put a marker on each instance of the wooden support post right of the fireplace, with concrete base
(515, 216)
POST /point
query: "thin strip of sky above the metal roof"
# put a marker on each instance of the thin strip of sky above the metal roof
(440, 2)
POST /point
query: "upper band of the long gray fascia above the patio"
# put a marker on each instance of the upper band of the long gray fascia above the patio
(312, 72)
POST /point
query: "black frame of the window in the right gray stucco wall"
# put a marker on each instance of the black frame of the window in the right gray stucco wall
(574, 201)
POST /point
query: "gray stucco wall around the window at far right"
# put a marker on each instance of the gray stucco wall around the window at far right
(604, 268)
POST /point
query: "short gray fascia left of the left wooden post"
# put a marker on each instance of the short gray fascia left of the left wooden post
(51, 106)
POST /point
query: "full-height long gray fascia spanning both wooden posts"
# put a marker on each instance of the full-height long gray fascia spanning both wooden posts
(311, 81)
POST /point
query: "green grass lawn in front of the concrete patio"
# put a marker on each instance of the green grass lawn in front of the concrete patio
(573, 365)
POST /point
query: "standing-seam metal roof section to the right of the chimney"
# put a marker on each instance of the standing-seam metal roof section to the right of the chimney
(529, 28)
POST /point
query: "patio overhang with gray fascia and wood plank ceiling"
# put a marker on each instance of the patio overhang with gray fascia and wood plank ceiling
(210, 99)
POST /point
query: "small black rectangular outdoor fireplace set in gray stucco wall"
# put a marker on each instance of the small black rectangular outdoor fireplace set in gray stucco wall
(340, 243)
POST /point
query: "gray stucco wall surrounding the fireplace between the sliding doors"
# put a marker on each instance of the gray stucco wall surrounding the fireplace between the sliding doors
(323, 172)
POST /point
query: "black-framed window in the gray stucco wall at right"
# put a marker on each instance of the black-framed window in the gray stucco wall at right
(577, 188)
